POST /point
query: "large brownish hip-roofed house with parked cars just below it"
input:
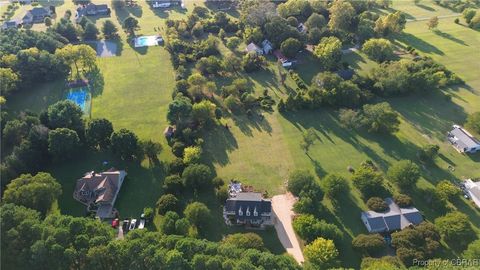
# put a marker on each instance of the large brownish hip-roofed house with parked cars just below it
(98, 191)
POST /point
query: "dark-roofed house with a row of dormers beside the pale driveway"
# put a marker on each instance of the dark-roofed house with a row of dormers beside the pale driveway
(248, 208)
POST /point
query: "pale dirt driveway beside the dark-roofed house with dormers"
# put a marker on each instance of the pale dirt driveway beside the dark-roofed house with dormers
(282, 207)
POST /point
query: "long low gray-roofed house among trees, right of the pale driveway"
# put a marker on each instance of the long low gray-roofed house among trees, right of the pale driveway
(394, 219)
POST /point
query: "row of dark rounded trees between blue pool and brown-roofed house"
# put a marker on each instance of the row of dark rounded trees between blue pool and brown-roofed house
(58, 134)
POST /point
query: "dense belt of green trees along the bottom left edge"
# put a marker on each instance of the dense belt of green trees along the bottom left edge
(63, 242)
